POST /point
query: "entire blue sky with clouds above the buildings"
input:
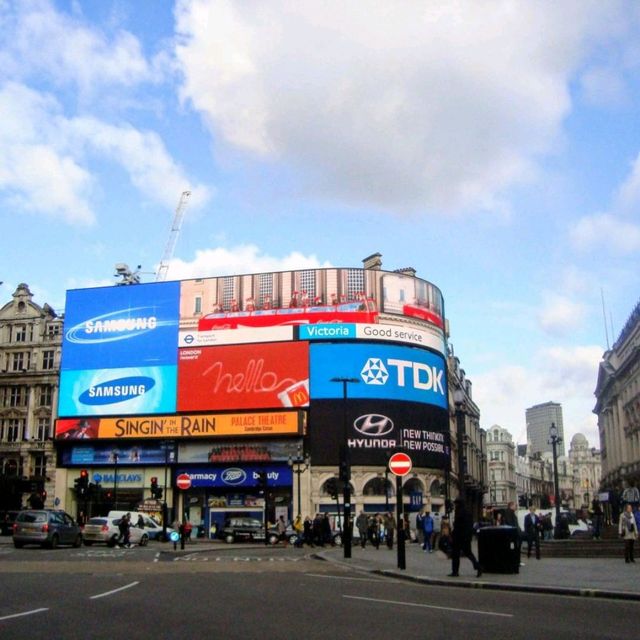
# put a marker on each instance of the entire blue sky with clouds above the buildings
(492, 146)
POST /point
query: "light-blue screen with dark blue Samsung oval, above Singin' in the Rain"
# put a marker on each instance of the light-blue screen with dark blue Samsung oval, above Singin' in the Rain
(106, 392)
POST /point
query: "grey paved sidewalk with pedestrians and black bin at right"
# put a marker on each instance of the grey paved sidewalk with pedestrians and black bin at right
(589, 577)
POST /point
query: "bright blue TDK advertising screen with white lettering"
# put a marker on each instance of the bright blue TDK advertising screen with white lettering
(383, 371)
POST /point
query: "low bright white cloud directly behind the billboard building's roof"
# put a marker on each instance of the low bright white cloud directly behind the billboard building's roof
(239, 259)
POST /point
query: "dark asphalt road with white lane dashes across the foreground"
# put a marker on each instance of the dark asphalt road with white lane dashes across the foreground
(267, 593)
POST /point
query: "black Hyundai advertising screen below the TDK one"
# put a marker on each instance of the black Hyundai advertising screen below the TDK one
(374, 428)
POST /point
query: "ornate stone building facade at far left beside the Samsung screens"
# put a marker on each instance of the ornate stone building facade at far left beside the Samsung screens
(30, 347)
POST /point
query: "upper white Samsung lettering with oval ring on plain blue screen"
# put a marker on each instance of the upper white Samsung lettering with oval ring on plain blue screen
(117, 325)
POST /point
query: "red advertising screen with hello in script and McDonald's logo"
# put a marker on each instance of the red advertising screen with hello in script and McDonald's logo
(258, 376)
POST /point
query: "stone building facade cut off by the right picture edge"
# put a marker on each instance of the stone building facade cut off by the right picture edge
(618, 410)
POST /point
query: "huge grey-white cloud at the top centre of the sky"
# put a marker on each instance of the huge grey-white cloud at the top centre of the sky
(423, 105)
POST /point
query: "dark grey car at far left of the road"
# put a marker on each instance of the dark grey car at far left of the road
(47, 528)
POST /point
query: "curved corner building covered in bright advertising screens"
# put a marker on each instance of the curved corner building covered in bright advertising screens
(206, 386)
